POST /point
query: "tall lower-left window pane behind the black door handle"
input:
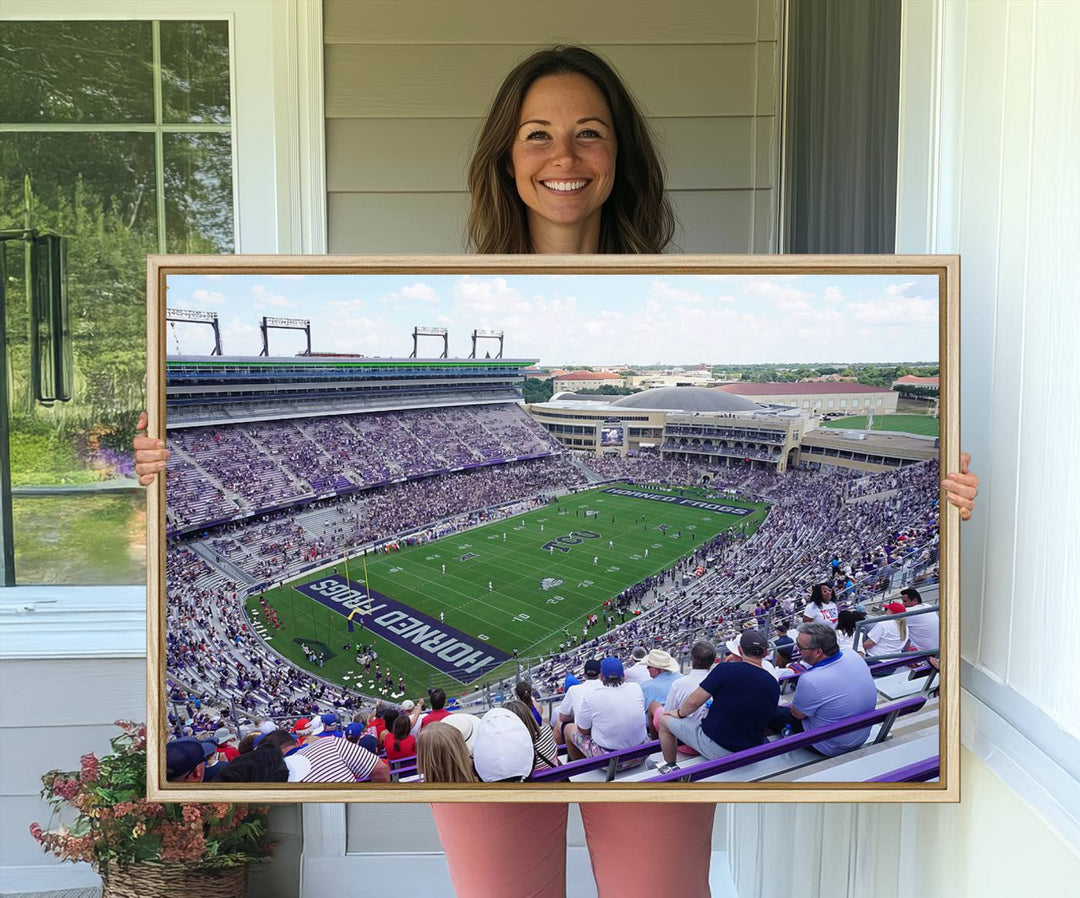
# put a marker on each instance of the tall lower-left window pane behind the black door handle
(99, 192)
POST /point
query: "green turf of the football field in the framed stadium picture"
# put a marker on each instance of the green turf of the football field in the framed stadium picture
(585, 558)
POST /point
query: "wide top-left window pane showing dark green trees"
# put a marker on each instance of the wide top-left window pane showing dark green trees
(76, 72)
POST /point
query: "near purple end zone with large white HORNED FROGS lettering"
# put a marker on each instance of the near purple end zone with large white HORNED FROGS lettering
(448, 650)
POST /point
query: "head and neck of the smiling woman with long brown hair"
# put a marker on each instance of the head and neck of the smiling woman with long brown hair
(563, 117)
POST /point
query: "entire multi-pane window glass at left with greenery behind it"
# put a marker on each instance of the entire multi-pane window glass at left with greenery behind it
(79, 515)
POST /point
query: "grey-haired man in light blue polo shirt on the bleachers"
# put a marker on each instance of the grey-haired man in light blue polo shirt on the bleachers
(838, 686)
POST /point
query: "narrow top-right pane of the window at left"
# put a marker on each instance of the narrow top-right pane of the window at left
(195, 72)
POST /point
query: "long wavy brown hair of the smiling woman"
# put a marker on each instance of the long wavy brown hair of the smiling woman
(637, 218)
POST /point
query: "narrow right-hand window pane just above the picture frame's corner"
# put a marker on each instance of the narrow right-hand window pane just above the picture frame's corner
(199, 194)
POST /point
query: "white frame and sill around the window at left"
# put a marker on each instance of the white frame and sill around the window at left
(280, 207)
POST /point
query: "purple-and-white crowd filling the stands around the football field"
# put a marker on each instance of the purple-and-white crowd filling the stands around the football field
(823, 526)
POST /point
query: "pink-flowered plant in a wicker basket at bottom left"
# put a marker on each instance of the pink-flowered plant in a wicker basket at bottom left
(144, 849)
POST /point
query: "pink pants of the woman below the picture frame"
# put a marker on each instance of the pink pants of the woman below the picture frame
(519, 851)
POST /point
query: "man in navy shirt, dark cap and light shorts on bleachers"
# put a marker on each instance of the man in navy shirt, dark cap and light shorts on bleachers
(745, 699)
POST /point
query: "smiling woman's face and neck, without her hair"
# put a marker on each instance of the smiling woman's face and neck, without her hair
(563, 162)
